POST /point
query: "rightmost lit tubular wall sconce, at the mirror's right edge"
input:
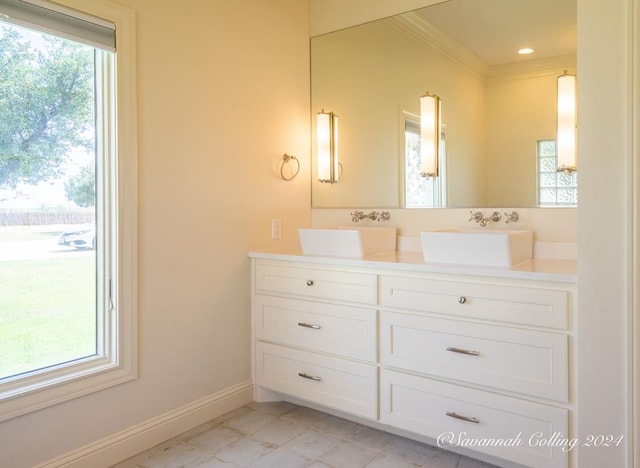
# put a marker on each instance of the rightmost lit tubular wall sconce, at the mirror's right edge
(566, 123)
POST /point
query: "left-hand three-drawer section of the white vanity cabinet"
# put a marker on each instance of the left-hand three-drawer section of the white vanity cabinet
(316, 335)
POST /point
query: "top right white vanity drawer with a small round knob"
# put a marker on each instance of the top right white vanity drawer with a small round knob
(514, 304)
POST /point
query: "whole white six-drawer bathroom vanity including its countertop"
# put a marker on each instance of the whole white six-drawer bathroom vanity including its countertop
(484, 354)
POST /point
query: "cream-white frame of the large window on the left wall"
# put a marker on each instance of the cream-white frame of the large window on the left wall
(116, 359)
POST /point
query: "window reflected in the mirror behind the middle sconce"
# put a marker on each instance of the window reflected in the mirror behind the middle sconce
(420, 192)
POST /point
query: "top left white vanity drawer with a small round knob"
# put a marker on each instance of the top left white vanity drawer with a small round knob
(316, 282)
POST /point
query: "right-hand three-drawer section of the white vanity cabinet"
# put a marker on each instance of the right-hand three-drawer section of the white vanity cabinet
(489, 359)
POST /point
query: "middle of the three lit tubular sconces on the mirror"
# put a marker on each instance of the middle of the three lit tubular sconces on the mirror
(429, 135)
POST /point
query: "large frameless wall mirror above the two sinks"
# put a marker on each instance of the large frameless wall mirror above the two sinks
(498, 107)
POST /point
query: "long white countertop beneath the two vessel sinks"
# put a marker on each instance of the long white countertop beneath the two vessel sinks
(536, 269)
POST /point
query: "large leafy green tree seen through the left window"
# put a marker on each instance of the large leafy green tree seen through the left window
(46, 105)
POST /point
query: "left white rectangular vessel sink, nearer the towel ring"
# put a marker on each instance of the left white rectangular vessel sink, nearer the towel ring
(347, 242)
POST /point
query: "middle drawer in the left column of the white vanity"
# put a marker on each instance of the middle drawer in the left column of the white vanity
(330, 328)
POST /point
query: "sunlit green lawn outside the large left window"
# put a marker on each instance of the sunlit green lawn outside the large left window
(47, 307)
